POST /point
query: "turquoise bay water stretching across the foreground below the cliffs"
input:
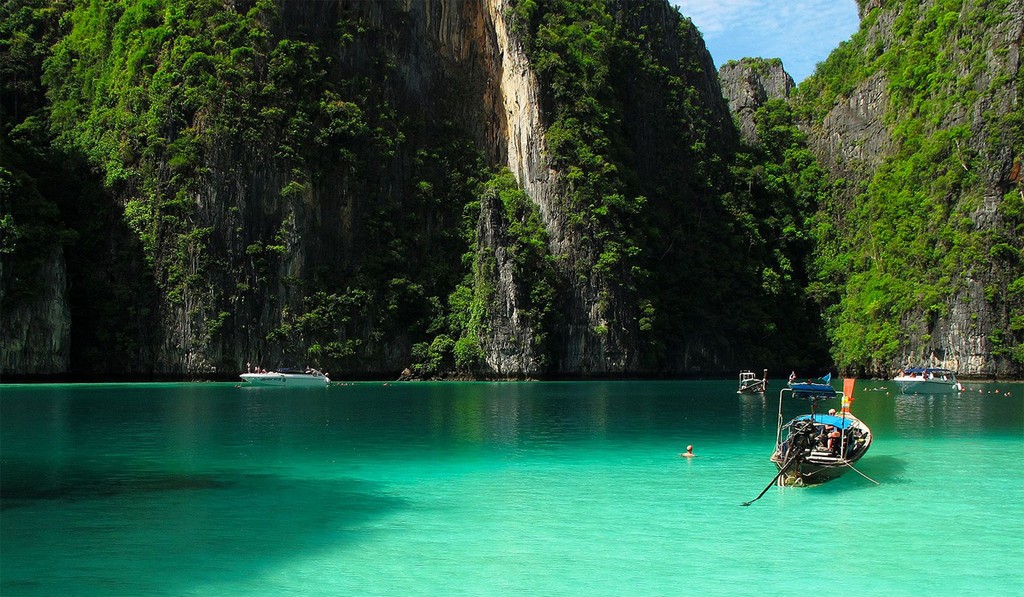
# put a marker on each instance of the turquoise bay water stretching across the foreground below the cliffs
(497, 489)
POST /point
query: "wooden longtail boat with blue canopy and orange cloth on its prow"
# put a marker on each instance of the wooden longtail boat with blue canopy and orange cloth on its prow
(817, 448)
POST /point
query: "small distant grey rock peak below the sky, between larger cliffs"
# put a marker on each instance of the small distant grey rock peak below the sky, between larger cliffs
(748, 84)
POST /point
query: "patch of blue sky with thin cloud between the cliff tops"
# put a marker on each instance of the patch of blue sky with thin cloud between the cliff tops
(801, 32)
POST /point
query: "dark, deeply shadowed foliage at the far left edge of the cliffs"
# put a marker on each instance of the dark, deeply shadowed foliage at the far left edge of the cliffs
(52, 199)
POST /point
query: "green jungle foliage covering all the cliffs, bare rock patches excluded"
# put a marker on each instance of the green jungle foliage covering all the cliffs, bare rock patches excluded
(242, 187)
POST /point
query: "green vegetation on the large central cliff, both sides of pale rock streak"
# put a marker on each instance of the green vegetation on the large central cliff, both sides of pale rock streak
(286, 199)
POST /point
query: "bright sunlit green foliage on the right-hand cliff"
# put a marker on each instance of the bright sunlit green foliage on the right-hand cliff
(892, 261)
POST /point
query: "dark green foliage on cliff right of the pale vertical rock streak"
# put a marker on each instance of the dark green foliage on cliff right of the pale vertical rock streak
(706, 240)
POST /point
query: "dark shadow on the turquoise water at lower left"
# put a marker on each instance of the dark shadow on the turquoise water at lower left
(187, 530)
